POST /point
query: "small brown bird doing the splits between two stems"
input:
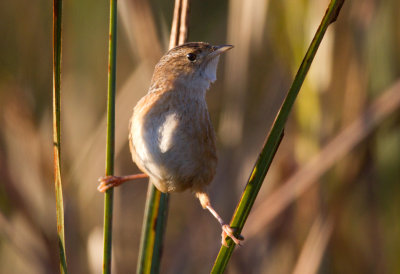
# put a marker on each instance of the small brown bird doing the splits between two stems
(171, 137)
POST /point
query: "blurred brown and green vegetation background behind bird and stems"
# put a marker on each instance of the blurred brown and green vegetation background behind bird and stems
(344, 221)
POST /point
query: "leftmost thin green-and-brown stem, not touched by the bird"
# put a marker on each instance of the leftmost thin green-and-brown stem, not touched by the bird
(57, 28)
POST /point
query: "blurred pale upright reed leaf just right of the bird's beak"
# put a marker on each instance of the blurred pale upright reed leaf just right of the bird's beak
(245, 24)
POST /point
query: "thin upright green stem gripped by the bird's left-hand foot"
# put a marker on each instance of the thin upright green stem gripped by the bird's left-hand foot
(109, 195)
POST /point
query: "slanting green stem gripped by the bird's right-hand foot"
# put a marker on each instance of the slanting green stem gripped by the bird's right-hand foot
(272, 142)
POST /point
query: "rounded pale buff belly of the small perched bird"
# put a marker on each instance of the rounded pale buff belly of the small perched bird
(176, 150)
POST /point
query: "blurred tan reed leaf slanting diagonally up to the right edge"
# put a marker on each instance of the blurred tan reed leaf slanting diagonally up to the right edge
(342, 144)
